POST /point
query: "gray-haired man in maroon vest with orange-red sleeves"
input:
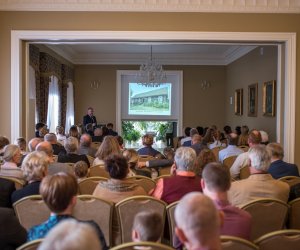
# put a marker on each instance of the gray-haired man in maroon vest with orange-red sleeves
(182, 181)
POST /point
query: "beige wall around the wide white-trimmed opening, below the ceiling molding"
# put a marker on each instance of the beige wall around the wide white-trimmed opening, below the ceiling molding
(136, 21)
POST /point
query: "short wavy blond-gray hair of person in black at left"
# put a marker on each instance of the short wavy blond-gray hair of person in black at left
(35, 166)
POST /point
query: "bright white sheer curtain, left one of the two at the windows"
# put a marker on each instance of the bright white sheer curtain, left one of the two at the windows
(53, 104)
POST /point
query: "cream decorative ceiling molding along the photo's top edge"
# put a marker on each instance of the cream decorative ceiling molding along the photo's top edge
(221, 6)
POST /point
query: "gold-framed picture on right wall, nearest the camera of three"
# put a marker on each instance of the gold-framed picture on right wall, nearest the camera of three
(269, 98)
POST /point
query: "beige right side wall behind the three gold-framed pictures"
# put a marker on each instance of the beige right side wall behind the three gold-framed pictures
(252, 68)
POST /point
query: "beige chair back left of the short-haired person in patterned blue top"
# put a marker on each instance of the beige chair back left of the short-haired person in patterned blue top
(31, 211)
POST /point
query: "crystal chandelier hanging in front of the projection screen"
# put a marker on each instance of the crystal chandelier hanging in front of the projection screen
(151, 74)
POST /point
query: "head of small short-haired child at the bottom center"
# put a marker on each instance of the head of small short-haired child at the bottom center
(147, 226)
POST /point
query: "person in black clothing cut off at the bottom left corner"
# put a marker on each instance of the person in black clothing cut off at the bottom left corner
(12, 234)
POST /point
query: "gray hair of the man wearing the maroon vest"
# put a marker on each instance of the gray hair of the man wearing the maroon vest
(185, 158)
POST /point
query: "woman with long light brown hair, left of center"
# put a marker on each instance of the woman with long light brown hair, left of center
(108, 147)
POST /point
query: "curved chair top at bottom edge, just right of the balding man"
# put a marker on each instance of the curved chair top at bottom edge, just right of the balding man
(236, 243)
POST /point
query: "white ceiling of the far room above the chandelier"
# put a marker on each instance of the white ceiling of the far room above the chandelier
(125, 53)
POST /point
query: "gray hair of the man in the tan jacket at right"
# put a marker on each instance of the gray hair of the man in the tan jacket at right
(260, 158)
